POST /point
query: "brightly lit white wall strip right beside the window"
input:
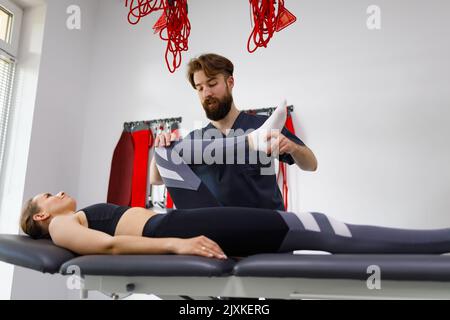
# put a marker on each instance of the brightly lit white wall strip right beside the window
(26, 80)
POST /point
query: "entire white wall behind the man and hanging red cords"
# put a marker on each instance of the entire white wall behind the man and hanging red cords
(372, 105)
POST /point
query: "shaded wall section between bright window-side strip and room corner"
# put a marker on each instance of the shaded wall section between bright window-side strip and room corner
(56, 142)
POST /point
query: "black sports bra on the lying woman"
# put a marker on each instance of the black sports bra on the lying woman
(104, 216)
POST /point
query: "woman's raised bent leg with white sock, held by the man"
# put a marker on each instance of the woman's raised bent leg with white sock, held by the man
(185, 187)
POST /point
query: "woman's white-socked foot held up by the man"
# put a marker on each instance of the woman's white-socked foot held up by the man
(259, 139)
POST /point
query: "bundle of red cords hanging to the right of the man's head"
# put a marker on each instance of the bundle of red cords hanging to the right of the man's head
(267, 18)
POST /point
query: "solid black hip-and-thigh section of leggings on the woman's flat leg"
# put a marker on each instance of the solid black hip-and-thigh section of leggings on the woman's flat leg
(238, 231)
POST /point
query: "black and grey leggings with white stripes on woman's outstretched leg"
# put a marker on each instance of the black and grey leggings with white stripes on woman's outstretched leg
(247, 231)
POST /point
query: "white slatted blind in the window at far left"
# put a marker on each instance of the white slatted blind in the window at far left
(7, 67)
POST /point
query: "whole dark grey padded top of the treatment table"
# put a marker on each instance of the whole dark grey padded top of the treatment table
(44, 256)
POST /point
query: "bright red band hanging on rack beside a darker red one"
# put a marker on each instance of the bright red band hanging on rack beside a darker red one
(141, 139)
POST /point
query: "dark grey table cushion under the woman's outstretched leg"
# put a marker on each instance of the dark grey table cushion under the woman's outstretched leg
(347, 266)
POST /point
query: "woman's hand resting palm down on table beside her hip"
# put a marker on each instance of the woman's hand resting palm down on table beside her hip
(200, 246)
